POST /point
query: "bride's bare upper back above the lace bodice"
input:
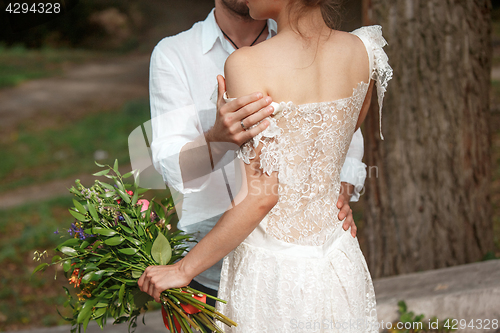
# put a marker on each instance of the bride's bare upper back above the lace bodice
(291, 67)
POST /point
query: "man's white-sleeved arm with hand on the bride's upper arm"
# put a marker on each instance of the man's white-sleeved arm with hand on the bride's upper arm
(182, 153)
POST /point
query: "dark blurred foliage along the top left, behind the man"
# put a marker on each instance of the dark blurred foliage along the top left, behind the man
(108, 25)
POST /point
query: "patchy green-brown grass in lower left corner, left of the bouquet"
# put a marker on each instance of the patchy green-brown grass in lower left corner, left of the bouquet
(25, 301)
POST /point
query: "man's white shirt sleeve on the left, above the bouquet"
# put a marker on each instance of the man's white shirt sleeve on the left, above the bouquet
(175, 122)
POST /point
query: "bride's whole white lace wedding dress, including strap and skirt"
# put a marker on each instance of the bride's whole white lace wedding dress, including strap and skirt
(299, 271)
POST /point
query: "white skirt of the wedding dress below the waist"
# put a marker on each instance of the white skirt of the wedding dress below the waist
(336, 288)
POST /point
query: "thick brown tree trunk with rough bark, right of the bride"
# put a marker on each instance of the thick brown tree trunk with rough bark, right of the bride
(427, 191)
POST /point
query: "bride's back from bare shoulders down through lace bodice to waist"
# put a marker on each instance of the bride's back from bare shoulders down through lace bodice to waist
(322, 85)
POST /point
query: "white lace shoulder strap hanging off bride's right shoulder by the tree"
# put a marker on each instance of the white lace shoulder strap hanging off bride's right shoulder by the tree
(380, 70)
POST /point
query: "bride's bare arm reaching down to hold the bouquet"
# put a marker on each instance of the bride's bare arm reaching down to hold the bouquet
(257, 197)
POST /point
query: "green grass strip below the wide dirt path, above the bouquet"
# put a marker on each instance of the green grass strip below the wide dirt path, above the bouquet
(35, 156)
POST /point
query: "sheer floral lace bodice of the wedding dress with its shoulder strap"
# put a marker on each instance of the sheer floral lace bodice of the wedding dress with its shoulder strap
(307, 144)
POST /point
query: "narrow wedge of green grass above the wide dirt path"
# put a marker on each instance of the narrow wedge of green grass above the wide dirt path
(18, 64)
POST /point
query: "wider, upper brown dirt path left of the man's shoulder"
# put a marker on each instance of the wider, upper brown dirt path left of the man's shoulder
(105, 84)
